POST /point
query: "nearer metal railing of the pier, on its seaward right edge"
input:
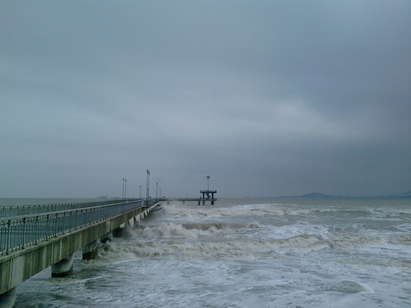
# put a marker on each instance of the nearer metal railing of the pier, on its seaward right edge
(24, 231)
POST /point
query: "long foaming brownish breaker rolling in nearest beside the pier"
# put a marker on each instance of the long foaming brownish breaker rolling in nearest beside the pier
(226, 240)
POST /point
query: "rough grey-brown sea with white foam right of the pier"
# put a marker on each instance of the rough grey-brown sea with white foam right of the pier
(246, 253)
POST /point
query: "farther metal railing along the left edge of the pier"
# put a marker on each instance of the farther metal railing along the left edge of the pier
(19, 210)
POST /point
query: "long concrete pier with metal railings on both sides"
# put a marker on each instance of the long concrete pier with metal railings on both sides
(32, 238)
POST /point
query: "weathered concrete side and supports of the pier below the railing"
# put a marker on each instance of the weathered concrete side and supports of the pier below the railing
(20, 264)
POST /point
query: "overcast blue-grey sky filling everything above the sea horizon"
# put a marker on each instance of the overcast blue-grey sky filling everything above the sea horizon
(267, 97)
